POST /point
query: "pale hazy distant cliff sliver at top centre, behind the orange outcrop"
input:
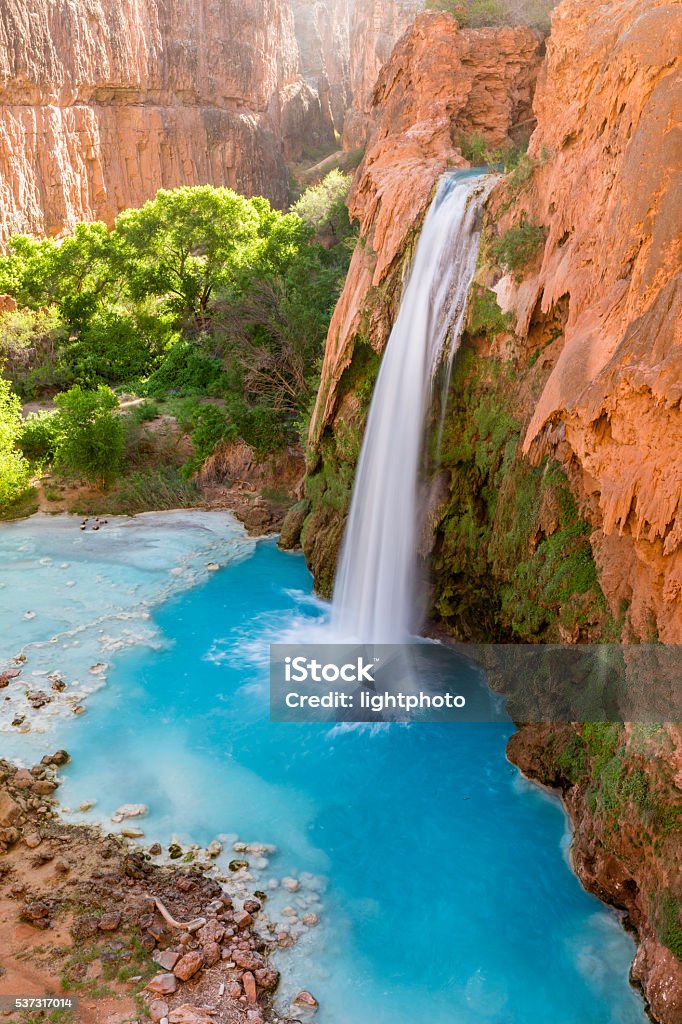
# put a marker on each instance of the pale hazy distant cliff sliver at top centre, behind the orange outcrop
(377, 26)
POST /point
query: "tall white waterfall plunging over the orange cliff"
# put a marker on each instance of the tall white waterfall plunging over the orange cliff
(375, 598)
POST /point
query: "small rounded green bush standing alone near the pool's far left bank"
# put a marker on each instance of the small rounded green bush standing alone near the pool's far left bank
(90, 435)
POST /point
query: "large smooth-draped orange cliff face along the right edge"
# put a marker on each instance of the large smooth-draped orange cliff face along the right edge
(608, 186)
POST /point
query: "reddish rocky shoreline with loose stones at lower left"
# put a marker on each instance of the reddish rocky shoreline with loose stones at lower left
(90, 915)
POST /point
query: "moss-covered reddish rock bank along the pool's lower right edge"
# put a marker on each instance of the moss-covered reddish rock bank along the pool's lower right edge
(619, 786)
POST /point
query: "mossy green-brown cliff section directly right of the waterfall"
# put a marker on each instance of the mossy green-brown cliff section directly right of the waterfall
(514, 560)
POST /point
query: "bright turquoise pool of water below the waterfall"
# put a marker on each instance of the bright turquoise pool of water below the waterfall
(448, 895)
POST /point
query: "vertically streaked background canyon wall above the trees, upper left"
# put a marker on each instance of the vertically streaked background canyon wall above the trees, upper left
(104, 102)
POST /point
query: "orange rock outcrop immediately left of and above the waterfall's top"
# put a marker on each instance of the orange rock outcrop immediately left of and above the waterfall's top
(441, 83)
